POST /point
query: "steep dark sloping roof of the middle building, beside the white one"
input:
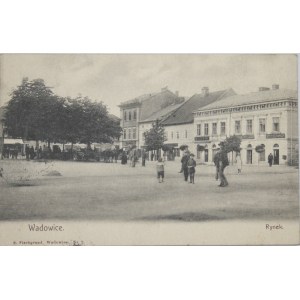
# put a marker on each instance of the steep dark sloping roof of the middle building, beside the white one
(184, 114)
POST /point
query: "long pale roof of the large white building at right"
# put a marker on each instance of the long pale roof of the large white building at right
(253, 98)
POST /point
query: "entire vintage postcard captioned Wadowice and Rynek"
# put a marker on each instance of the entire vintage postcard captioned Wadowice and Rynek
(149, 149)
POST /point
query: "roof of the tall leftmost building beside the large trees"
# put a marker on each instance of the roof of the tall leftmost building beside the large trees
(152, 103)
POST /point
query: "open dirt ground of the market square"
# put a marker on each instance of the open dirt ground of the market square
(115, 192)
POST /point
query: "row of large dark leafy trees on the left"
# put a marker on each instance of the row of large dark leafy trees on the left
(34, 112)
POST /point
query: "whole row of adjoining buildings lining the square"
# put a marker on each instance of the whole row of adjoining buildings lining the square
(267, 118)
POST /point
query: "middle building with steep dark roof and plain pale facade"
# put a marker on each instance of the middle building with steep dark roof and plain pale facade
(179, 125)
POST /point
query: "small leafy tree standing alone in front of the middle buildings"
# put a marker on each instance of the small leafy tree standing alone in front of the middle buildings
(155, 137)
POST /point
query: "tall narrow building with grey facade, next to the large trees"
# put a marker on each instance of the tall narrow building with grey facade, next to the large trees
(134, 112)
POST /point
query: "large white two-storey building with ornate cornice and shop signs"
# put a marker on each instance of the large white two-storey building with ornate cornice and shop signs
(267, 119)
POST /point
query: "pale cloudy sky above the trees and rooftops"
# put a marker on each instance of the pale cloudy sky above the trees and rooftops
(114, 78)
